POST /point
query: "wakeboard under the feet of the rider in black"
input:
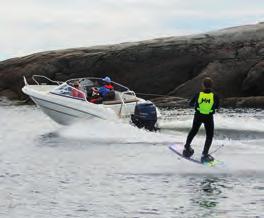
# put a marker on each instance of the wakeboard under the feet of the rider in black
(178, 149)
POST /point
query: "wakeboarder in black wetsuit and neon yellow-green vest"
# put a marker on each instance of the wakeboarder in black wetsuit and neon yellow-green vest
(205, 103)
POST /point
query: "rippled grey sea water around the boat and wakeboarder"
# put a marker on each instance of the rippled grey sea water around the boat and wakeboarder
(105, 169)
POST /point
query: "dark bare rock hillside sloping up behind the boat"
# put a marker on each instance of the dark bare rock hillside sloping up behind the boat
(173, 66)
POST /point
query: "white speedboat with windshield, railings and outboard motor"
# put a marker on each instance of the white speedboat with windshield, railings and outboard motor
(55, 99)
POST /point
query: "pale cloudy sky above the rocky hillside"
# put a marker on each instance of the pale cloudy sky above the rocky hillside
(30, 26)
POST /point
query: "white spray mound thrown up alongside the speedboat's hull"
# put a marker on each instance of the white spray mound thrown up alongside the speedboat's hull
(102, 131)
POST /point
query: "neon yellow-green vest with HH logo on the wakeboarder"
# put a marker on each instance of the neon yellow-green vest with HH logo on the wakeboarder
(205, 102)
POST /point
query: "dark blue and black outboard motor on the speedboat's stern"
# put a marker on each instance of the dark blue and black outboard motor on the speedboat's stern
(145, 115)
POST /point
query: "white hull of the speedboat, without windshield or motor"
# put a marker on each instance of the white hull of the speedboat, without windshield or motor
(66, 110)
